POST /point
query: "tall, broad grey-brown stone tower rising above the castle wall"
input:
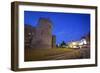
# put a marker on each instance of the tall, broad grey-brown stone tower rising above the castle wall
(43, 35)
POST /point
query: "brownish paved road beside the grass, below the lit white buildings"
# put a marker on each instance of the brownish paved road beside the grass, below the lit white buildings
(83, 53)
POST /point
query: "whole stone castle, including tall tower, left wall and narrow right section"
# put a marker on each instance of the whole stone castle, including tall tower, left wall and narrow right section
(40, 36)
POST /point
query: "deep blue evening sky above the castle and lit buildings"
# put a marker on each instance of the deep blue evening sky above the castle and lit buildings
(66, 26)
